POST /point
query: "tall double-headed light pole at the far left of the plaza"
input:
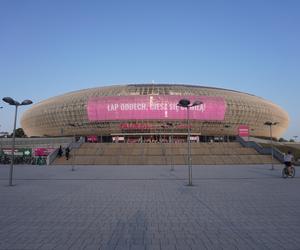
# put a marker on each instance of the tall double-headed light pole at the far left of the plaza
(15, 103)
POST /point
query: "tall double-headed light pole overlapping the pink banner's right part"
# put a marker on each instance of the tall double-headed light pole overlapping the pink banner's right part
(187, 104)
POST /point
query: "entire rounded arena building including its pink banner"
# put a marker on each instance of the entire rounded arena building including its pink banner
(150, 112)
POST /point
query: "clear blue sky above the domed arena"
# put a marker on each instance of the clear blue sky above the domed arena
(50, 47)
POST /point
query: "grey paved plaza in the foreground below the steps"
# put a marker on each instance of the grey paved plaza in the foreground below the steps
(149, 207)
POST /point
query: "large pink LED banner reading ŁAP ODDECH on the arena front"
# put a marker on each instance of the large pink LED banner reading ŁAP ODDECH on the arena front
(155, 107)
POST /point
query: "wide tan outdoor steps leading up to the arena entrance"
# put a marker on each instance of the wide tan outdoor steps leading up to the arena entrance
(227, 153)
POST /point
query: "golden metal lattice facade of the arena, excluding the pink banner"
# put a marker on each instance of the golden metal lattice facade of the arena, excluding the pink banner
(53, 116)
